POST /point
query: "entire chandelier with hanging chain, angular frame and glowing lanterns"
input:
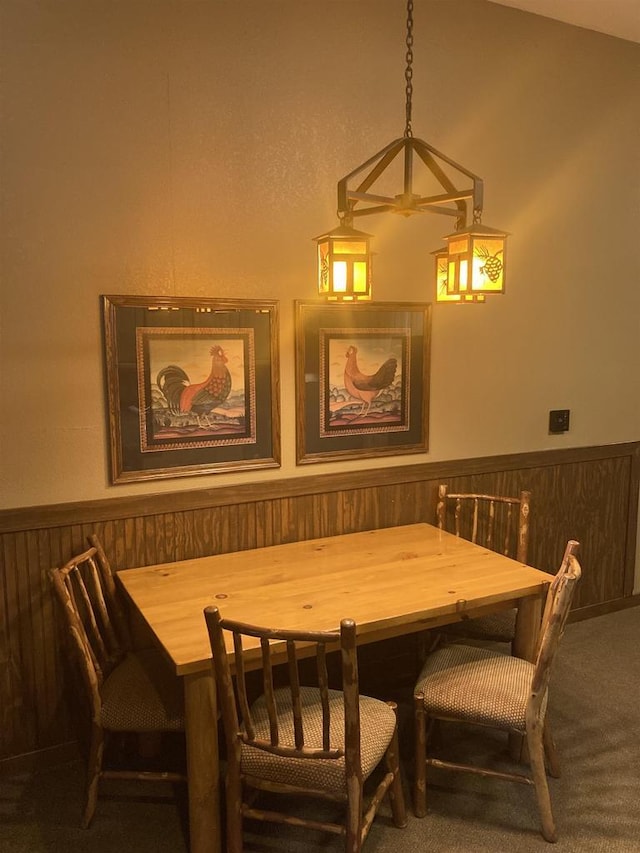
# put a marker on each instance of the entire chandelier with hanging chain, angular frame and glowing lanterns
(471, 265)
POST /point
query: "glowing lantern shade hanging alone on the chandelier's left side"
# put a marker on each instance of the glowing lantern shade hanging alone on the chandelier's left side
(344, 264)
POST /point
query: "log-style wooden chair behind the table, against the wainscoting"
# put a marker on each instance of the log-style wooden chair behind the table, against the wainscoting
(496, 522)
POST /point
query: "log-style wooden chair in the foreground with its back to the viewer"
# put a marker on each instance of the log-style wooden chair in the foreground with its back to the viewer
(301, 740)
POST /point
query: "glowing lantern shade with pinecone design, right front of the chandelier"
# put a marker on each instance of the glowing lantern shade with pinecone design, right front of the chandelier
(475, 263)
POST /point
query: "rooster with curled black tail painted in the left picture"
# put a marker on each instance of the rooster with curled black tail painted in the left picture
(200, 398)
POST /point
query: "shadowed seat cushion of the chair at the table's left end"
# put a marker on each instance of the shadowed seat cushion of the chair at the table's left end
(142, 695)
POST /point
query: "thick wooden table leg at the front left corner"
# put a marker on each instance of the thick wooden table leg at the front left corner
(202, 763)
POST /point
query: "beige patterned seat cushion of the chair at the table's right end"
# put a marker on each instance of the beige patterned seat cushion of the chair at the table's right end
(475, 684)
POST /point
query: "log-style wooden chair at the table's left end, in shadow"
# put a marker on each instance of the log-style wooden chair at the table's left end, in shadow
(126, 691)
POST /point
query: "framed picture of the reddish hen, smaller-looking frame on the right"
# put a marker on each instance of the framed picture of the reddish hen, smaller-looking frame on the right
(362, 379)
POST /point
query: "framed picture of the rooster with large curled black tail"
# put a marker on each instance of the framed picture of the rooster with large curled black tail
(191, 385)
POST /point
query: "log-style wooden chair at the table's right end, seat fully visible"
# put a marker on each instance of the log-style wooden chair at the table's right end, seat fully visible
(475, 685)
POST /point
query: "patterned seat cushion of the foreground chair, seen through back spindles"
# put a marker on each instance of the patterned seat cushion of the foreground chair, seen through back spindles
(377, 724)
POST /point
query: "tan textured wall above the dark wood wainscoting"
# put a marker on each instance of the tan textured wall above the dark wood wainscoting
(193, 148)
